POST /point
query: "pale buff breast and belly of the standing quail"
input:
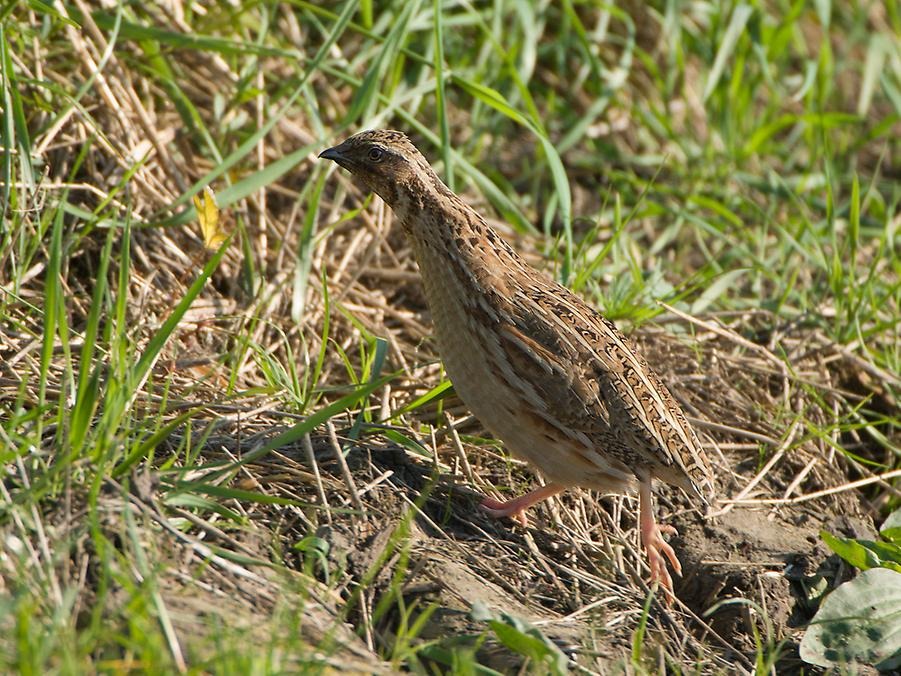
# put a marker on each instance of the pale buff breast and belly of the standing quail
(467, 316)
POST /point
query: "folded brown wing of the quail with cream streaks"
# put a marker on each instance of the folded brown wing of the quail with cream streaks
(591, 378)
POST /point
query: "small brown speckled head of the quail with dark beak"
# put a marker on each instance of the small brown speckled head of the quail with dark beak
(383, 160)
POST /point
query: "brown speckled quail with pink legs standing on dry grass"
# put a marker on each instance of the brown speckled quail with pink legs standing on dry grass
(544, 372)
